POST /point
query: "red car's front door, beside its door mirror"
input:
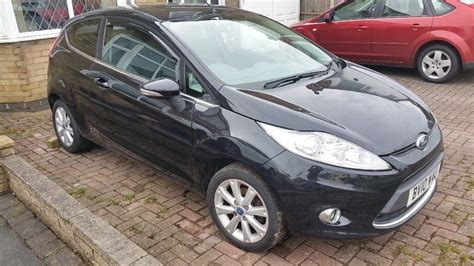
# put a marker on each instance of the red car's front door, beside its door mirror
(348, 34)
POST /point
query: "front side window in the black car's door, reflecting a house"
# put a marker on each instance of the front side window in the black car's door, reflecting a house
(128, 48)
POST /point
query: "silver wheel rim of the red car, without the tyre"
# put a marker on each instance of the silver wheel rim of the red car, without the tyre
(436, 64)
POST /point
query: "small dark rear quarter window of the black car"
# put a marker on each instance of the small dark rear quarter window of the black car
(84, 35)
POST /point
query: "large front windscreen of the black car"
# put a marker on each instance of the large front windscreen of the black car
(248, 49)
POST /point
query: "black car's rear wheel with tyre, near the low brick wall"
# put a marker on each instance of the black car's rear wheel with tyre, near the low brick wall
(67, 130)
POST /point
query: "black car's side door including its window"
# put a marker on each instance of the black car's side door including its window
(157, 129)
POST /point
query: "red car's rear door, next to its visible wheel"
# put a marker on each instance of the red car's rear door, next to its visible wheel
(395, 35)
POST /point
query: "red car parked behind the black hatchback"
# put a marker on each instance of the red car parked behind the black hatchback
(434, 36)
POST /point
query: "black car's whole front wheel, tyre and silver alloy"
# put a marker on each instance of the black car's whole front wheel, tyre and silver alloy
(244, 209)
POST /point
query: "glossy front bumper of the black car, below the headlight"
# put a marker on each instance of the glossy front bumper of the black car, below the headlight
(372, 203)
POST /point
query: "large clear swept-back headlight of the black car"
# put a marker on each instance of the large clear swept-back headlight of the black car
(326, 148)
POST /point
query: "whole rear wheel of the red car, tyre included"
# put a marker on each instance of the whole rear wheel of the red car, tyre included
(438, 63)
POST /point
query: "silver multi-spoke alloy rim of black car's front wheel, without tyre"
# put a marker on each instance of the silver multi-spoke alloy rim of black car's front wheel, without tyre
(241, 211)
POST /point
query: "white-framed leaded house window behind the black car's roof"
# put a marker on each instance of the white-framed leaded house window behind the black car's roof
(36, 19)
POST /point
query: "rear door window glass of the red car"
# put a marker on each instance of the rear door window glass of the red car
(404, 8)
